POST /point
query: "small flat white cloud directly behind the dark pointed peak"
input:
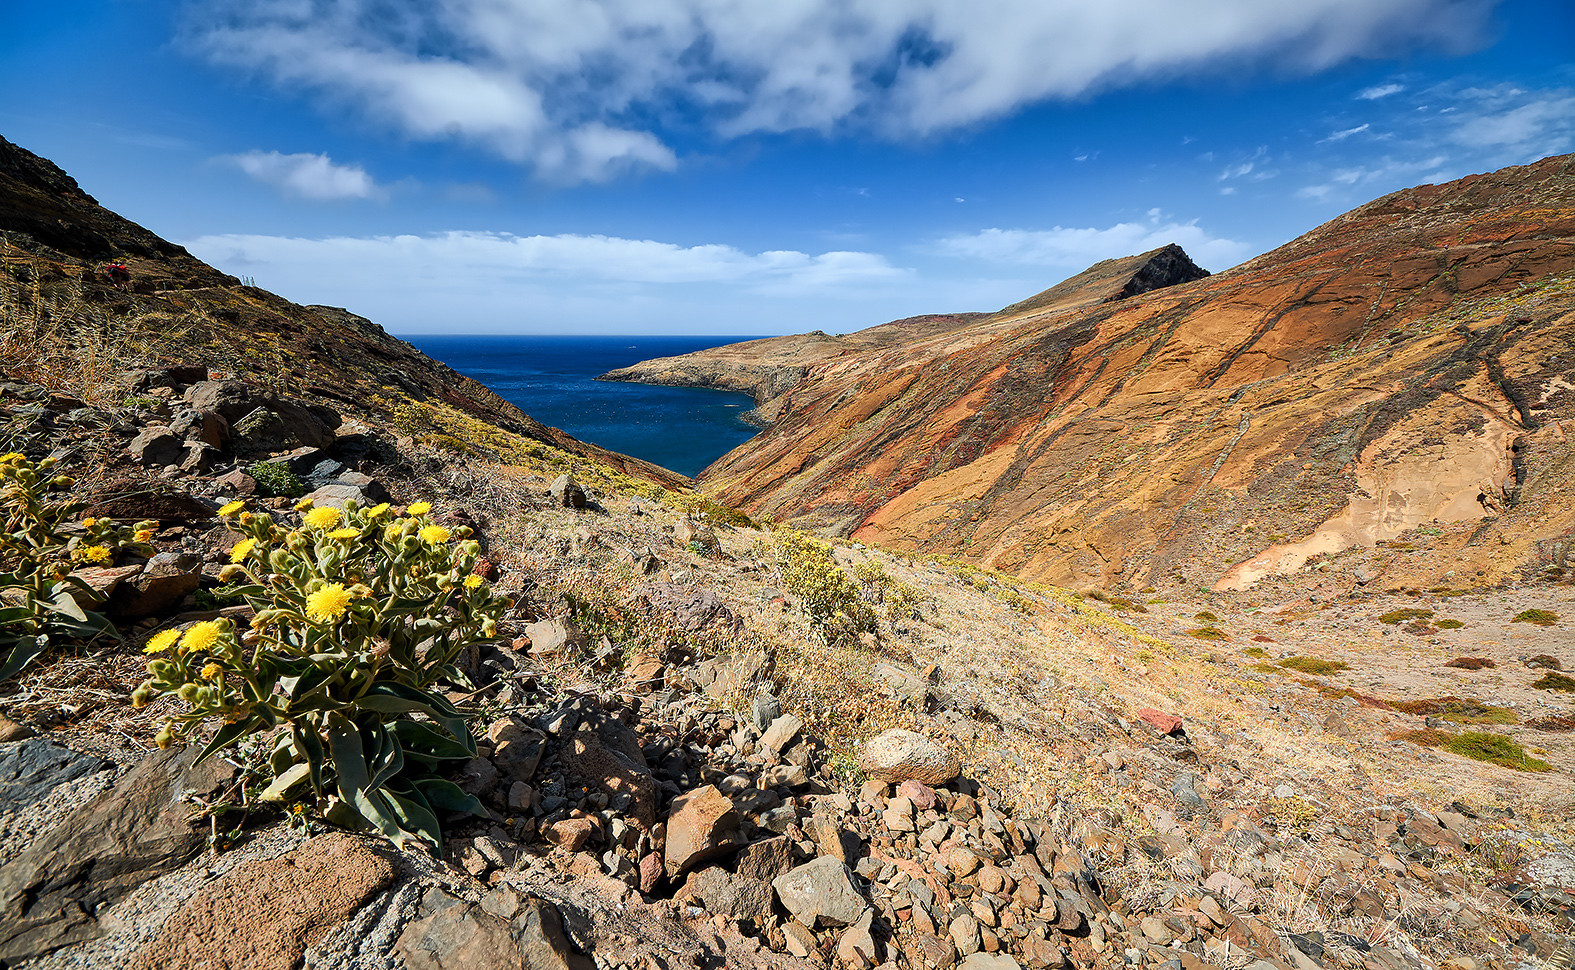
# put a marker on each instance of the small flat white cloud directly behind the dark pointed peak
(1075, 250)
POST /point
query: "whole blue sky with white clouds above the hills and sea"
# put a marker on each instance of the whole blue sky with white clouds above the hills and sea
(746, 168)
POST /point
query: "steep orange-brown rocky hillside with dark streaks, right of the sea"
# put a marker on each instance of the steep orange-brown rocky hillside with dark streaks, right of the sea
(1404, 366)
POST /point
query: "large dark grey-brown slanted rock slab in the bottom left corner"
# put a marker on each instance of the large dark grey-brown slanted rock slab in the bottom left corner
(100, 853)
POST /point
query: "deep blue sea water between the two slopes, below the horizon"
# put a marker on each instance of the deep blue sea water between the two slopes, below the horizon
(552, 380)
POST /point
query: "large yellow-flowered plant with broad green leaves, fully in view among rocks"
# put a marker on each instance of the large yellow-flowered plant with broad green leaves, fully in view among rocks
(360, 615)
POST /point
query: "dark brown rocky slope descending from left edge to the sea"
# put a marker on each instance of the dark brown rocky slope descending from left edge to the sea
(84, 292)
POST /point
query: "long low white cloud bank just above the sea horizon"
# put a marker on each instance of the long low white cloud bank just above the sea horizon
(478, 283)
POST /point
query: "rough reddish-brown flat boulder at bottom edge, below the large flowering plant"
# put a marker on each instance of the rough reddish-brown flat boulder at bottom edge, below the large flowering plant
(265, 914)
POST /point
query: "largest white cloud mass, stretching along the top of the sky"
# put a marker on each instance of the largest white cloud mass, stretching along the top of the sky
(587, 91)
